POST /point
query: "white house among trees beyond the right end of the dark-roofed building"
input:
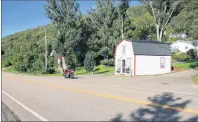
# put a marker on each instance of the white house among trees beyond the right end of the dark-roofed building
(182, 46)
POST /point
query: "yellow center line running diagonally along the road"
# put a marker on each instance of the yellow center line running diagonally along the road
(188, 110)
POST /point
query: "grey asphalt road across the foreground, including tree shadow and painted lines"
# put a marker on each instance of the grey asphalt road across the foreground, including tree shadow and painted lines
(170, 97)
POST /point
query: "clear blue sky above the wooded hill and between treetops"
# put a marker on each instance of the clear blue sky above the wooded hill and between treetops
(25, 14)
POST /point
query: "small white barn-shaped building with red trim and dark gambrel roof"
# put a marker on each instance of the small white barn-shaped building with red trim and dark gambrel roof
(142, 57)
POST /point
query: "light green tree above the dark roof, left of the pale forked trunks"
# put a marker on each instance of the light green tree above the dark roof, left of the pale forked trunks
(140, 24)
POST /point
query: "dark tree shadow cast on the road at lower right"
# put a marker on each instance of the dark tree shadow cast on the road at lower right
(154, 113)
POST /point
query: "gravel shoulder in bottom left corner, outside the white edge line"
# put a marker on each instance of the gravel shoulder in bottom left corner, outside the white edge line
(7, 114)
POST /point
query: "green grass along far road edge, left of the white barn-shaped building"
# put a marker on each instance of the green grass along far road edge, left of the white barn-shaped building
(79, 71)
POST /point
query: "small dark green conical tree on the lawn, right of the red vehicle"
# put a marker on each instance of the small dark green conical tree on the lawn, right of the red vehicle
(89, 62)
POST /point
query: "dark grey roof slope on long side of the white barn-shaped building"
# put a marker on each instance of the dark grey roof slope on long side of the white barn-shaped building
(149, 47)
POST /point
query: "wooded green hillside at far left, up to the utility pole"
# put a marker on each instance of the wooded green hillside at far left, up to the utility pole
(24, 50)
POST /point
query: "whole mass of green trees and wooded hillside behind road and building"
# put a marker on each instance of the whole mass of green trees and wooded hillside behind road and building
(89, 39)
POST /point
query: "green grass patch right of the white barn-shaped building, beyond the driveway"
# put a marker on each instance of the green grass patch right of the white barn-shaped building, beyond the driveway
(187, 65)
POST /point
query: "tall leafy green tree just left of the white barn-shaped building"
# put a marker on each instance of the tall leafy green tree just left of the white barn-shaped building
(103, 21)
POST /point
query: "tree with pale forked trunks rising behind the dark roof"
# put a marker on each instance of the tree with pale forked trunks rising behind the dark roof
(163, 11)
